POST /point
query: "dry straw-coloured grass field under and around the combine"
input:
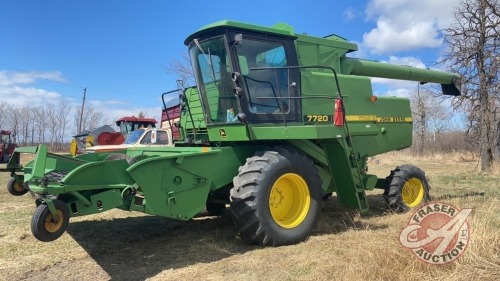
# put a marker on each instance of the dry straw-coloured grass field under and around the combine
(120, 245)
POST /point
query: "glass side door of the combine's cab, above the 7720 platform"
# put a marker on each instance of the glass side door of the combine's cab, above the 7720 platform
(271, 89)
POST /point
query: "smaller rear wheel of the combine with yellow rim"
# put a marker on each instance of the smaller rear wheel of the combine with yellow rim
(407, 187)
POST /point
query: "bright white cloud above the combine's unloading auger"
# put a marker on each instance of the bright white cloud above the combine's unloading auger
(406, 24)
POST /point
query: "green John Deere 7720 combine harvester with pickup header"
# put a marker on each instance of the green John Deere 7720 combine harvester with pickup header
(278, 122)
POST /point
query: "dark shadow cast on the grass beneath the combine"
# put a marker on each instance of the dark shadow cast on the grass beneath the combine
(137, 248)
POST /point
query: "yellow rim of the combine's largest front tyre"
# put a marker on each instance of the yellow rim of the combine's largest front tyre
(289, 200)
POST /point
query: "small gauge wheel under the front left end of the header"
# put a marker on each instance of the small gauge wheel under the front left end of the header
(43, 226)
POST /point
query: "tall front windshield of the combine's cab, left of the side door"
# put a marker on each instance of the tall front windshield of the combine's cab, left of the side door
(213, 75)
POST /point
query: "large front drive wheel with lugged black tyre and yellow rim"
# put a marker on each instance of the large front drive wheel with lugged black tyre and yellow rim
(276, 198)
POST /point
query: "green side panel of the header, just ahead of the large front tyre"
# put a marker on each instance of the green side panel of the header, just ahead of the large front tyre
(178, 186)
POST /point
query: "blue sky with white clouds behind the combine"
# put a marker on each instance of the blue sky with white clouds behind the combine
(119, 50)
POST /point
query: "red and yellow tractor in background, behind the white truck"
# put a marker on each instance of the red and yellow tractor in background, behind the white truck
(106, 135)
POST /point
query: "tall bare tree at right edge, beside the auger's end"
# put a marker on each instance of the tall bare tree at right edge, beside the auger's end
(472, 50)
